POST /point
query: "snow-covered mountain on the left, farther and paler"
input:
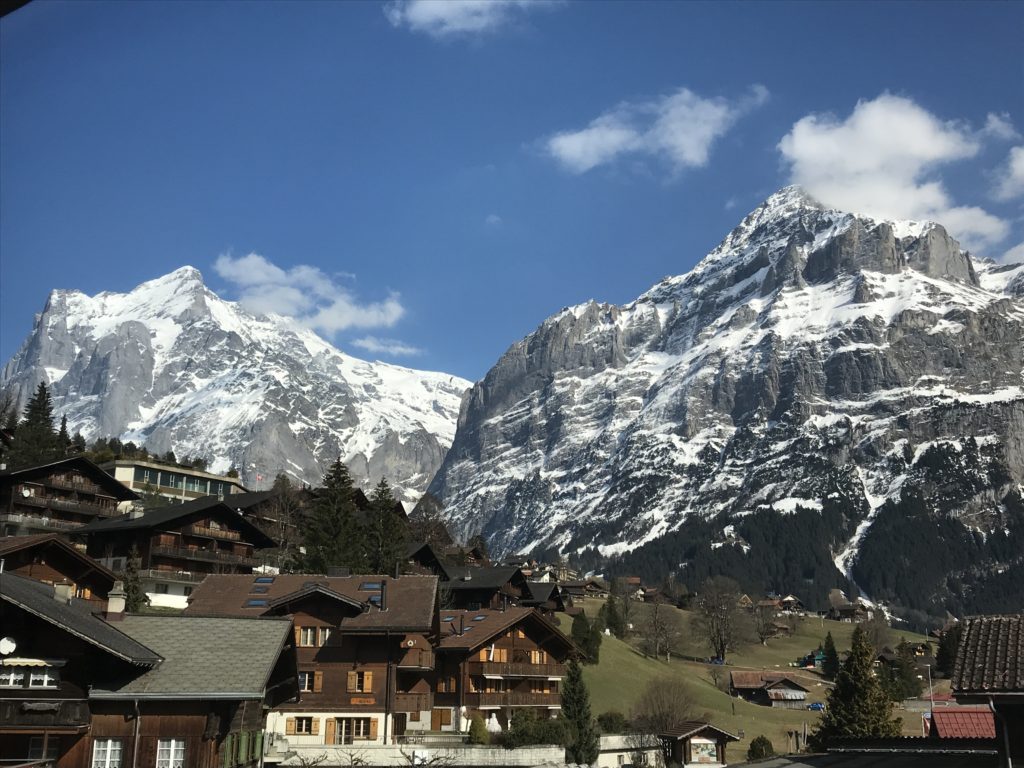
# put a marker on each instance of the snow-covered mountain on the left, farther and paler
(173, 366)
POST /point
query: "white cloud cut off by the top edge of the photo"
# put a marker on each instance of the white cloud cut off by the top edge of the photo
(448, 19)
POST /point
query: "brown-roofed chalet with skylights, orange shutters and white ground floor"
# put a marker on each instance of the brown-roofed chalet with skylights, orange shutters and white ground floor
(366, 664)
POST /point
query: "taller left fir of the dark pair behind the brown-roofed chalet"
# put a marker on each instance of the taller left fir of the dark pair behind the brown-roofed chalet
(334, 536)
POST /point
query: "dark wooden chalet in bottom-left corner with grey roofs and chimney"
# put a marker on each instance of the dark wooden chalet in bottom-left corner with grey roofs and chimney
(82, 690)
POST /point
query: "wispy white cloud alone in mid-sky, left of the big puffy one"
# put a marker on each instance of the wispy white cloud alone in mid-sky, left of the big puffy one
(681, 129)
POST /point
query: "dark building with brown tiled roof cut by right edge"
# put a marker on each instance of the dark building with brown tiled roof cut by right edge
(990, 671)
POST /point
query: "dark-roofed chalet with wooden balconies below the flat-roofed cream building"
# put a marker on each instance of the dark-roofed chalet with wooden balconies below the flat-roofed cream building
(179, 546)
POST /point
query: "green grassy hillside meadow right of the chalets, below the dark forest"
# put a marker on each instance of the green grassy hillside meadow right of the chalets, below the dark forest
(618, 682)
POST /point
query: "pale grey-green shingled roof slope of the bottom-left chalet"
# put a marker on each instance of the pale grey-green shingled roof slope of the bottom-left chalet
(204, 658)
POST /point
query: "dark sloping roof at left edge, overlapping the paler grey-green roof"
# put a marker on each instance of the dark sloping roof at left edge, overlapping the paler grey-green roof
(75, 618)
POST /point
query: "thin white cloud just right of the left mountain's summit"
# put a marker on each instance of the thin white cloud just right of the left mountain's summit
(306, 293)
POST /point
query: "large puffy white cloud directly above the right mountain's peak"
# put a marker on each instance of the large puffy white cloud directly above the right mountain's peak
(882, 162)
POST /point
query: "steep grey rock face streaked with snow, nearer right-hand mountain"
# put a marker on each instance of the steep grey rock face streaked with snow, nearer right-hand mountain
(813, 355)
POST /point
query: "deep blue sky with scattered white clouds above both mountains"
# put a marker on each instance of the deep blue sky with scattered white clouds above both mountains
(425, 183)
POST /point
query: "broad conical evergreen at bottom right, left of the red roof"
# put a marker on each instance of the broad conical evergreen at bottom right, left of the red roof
(858, 707)
